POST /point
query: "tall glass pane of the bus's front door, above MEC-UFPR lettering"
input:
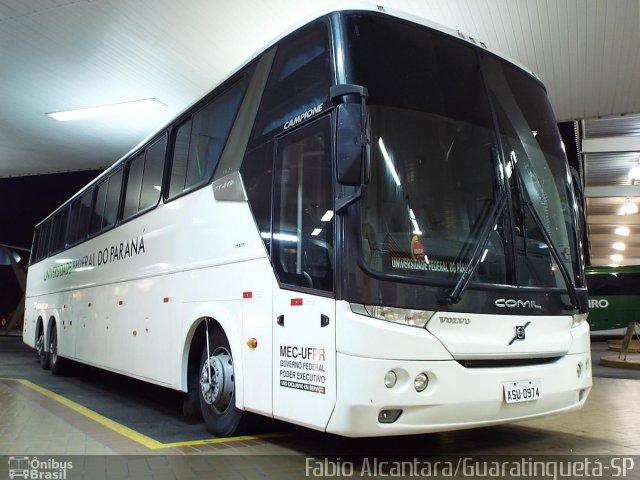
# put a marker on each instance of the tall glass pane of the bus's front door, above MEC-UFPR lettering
(302, 237)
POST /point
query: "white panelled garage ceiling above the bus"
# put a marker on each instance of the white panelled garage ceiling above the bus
(63, 54)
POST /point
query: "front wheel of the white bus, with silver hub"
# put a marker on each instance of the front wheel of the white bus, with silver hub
(217, 397)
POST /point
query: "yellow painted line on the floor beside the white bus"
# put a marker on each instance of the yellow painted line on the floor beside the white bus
(121, 429)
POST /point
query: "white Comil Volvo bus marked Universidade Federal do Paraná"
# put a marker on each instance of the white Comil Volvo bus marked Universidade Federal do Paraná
(369, 229)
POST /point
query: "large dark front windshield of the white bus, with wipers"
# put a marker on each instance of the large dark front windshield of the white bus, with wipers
(452, 130)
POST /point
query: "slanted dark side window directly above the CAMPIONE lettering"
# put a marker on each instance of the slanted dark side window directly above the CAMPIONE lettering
(299, 80)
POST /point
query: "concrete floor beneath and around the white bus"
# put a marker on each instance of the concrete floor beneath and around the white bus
(114, 427)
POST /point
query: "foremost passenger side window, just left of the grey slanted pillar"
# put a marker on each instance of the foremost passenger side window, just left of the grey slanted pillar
(200, 140)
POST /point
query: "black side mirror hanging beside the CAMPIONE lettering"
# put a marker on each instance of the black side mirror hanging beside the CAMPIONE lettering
(350, 144)
